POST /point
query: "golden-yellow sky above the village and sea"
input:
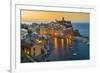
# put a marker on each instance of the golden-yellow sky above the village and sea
(47, 16)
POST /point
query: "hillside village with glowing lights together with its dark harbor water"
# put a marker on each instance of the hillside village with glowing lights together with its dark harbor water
(53, 41)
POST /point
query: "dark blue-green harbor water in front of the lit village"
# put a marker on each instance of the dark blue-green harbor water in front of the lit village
(79, 51)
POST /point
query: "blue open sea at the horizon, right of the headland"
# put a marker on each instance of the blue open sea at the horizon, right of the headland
(82, 27)
